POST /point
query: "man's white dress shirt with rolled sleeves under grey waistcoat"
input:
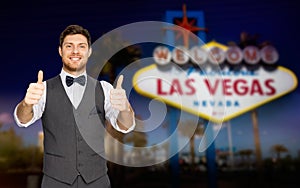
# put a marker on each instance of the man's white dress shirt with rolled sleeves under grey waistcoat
(75, 94)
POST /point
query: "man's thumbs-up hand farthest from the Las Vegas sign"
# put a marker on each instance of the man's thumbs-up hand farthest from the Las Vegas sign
(35, 91)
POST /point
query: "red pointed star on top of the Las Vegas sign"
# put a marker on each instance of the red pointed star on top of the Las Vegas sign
(185, 28)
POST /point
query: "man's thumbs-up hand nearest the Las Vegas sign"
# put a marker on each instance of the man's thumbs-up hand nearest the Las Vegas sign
(118, 97)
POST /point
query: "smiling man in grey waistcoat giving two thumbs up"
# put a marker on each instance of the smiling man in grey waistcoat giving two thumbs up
(74, 109)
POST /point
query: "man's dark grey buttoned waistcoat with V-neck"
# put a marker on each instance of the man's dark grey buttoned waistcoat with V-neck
(74, 138)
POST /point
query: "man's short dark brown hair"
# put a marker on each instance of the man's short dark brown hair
(73, 30)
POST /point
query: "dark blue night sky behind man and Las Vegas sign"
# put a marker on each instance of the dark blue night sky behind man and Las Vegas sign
(29, 34)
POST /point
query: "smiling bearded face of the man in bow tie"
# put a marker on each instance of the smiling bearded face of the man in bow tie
(75, 53)
